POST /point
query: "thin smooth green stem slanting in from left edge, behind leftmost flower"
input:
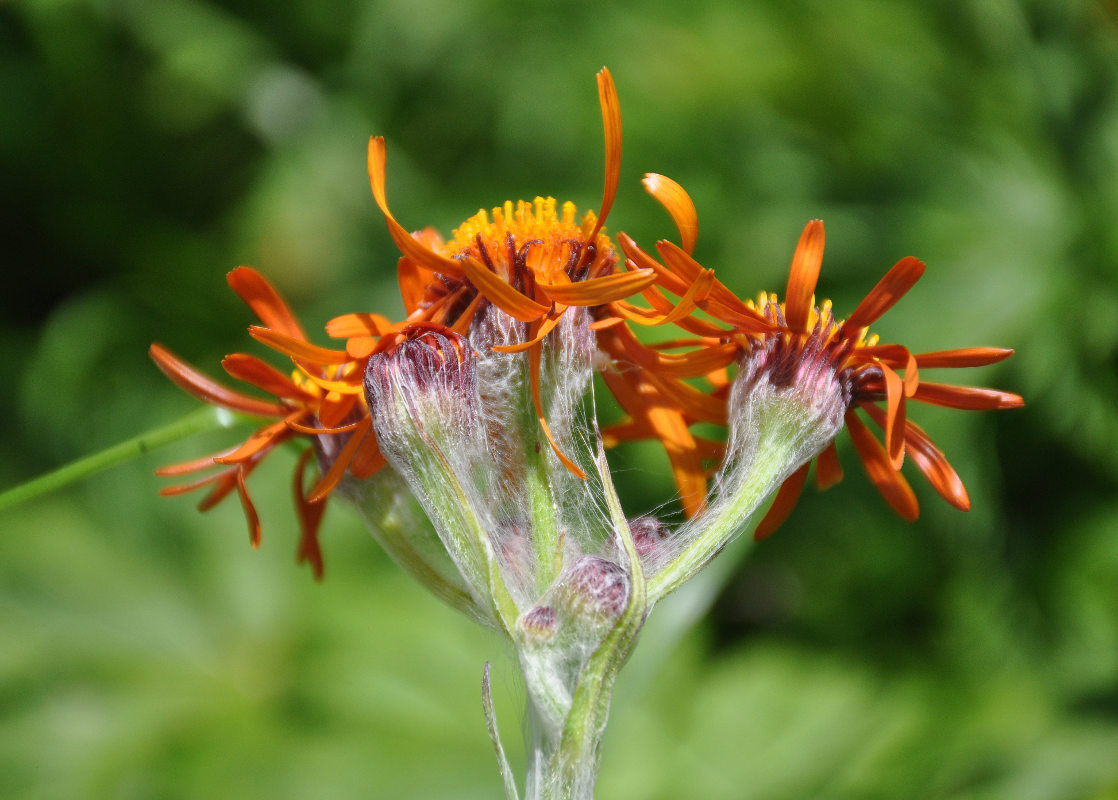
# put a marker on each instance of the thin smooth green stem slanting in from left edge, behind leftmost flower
(209, 418)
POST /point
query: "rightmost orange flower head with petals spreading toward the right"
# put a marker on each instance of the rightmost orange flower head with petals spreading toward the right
(878, 379)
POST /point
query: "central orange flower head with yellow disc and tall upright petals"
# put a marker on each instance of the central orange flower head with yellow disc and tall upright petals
(529, 261)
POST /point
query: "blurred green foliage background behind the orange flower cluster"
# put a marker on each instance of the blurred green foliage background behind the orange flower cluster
(148, 147)
